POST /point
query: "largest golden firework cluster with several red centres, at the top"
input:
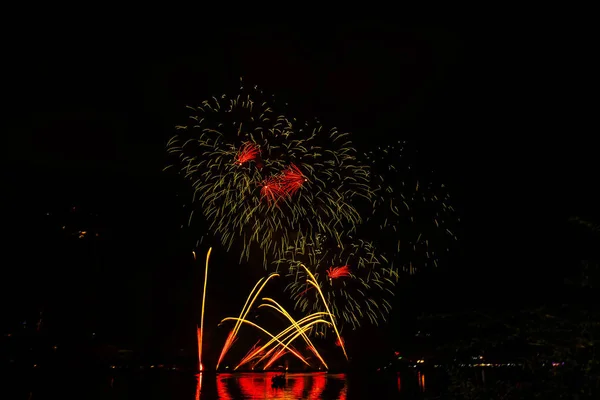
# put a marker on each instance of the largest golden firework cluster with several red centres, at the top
(260, 177)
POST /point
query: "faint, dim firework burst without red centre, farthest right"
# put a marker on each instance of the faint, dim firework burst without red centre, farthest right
(412, 213)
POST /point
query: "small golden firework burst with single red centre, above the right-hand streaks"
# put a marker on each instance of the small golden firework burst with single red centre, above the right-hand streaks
(354, 280)
